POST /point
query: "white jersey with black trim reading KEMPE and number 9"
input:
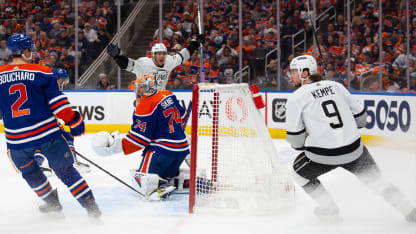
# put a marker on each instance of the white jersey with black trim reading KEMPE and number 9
(322, 118)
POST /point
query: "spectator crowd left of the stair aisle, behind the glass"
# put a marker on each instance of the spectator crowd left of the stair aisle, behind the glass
(51, 26)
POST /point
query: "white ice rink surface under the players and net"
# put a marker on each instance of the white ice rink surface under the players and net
(363, 211)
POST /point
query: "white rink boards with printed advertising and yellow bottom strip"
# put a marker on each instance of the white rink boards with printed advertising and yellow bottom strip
(389, 115)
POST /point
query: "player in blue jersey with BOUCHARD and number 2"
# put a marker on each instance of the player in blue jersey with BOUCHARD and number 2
(31, 103)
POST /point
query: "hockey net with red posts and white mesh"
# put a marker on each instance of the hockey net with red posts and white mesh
(234, 164)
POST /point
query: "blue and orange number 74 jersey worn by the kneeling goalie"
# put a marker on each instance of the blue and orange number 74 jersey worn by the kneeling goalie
(158, 126)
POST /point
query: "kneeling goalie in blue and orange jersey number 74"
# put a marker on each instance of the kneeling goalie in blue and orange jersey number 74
(157, 129)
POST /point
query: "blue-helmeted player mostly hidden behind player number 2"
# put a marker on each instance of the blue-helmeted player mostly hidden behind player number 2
(62, 78)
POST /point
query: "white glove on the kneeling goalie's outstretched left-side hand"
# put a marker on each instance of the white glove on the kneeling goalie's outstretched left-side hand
(106, 144)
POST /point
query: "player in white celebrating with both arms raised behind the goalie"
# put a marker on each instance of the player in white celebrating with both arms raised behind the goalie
(160, 64)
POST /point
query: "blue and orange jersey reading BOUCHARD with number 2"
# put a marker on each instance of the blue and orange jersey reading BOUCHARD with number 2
(30, 102)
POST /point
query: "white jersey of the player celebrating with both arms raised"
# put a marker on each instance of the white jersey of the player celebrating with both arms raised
(161, 74)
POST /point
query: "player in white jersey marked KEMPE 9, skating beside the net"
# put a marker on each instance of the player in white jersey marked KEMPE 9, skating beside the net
(322, 121)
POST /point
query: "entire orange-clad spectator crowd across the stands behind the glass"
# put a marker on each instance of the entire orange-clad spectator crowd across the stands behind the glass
(51, 25)
